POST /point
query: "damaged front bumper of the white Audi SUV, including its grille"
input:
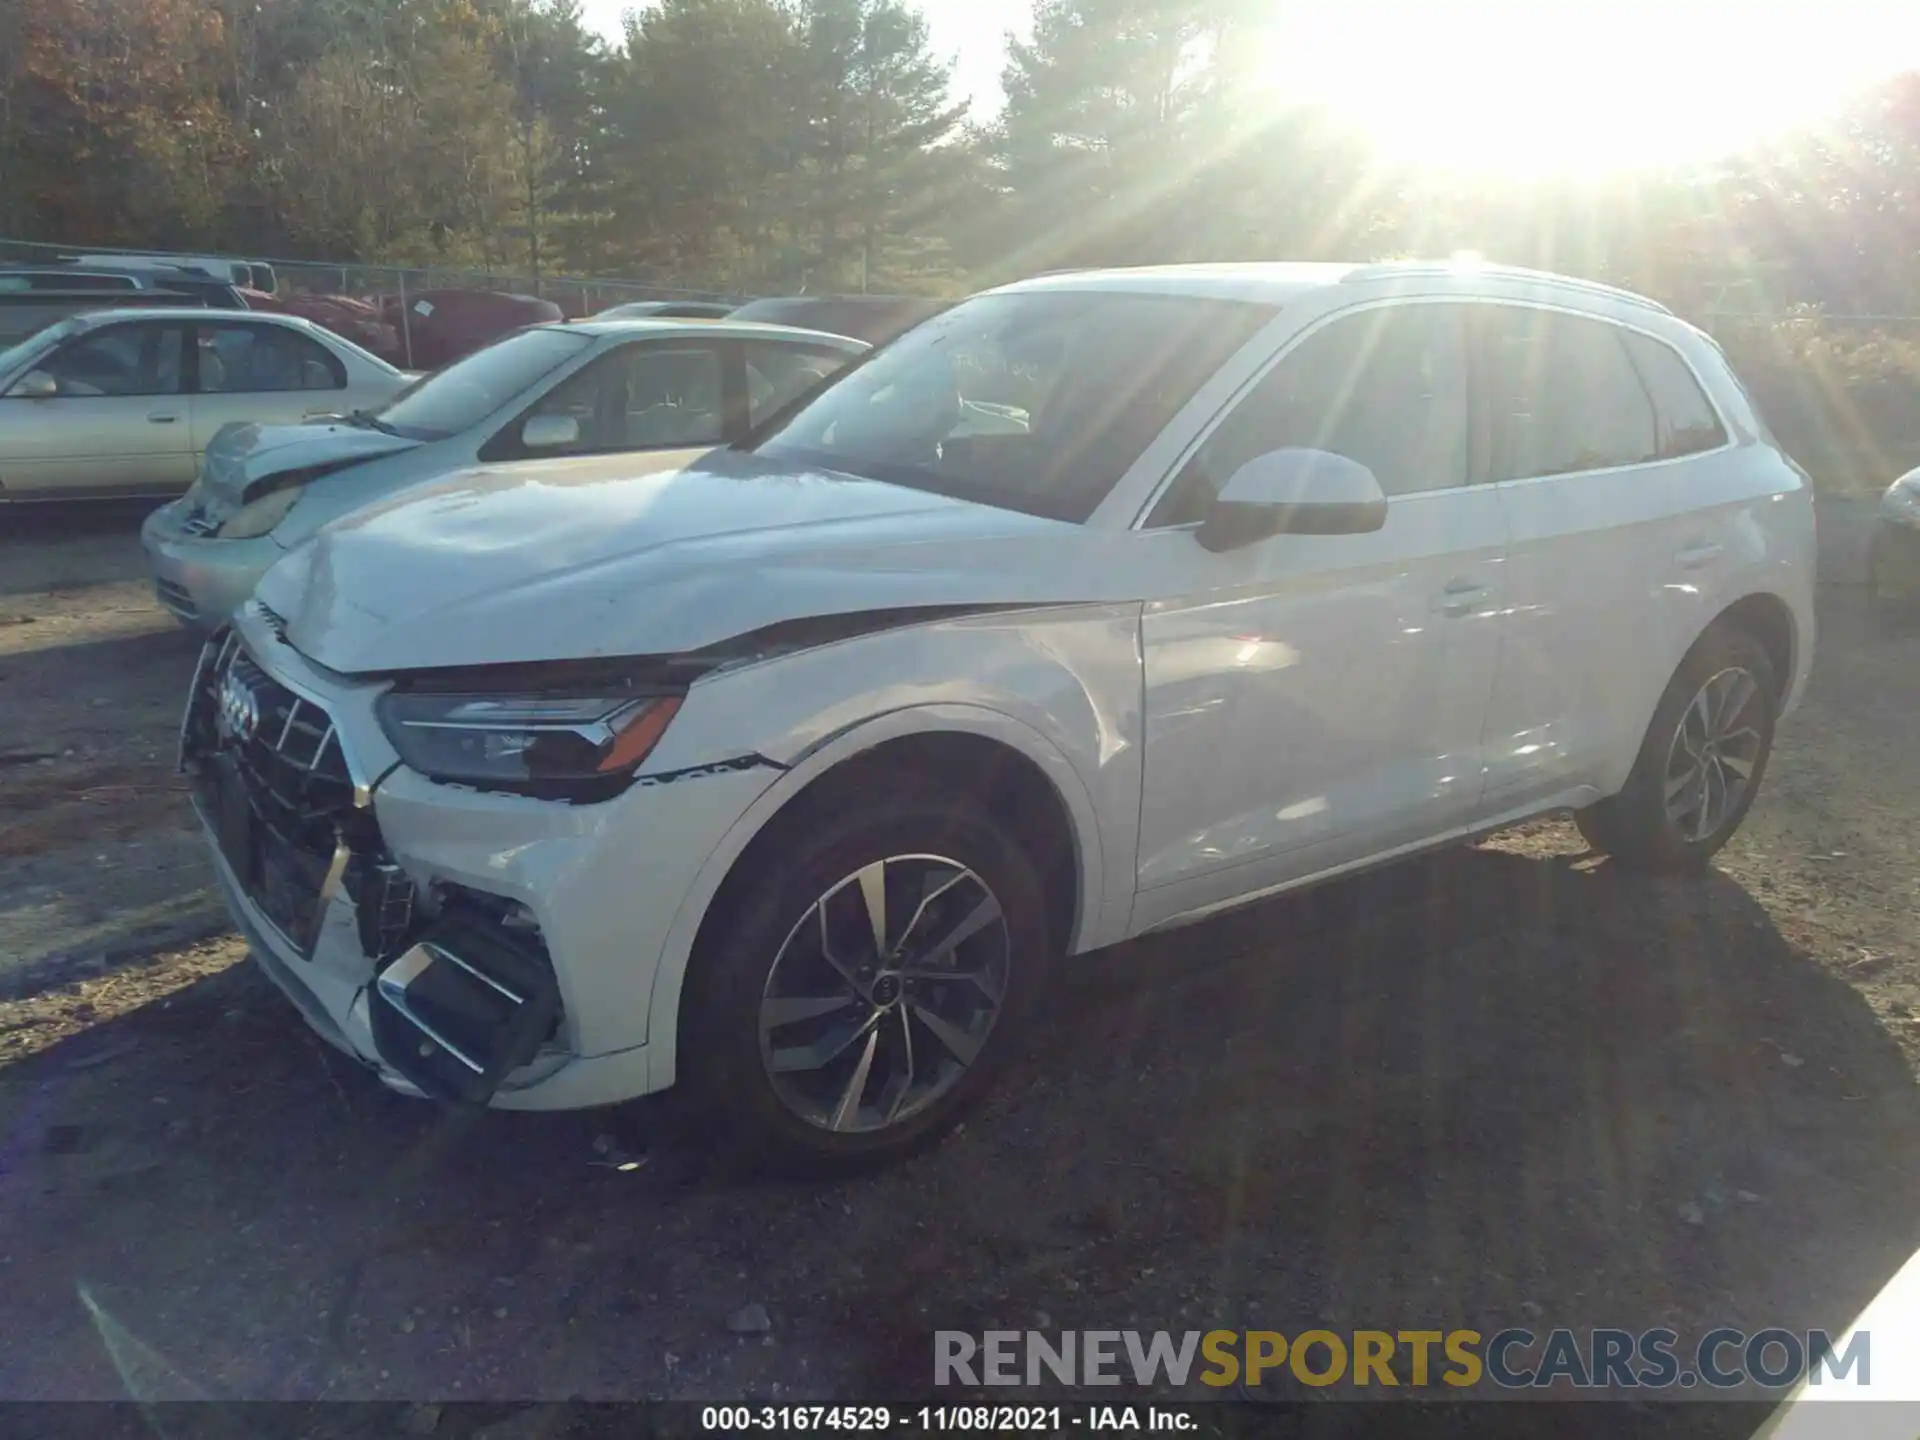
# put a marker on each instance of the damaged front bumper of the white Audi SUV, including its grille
(425, 930)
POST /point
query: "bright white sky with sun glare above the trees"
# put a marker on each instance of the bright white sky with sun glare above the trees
(1525, 85)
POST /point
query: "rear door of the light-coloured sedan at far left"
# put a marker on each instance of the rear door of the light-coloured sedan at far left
(260, 373)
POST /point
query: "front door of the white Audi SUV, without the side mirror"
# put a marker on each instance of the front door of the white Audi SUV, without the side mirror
(1320, 700)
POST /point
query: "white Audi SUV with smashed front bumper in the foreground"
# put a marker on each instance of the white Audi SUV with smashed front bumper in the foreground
(1090, 608)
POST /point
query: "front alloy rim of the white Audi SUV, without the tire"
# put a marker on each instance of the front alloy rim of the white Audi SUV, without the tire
(884, 994)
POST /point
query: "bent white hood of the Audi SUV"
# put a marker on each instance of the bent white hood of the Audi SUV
(606, 556)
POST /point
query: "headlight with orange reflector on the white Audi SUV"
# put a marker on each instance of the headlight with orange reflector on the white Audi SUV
(581, 748)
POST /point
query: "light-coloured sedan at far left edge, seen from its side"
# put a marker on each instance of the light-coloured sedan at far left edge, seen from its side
(126, 402)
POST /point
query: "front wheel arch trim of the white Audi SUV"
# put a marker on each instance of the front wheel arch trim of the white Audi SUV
(1059, 811)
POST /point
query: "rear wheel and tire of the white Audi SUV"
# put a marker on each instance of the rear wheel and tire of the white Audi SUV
(1652, 825)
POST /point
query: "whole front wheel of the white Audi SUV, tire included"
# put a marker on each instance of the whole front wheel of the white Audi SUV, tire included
(798, 932)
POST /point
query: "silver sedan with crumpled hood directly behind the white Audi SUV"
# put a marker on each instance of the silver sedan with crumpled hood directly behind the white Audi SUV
(546, 393)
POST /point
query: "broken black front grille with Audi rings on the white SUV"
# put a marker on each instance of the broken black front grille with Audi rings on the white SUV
(306, 836)
